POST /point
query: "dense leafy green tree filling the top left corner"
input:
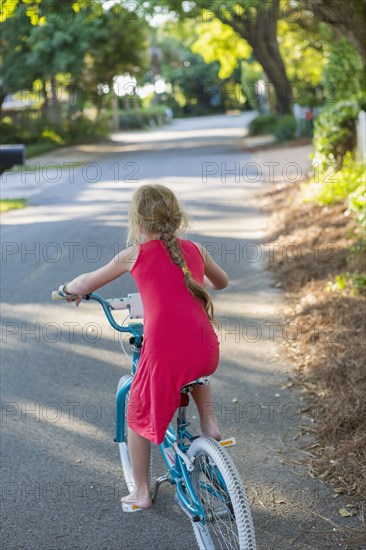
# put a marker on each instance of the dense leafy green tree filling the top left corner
(70, 50)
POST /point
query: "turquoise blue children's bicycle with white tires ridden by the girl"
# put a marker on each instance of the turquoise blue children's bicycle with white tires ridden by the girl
(208, 487)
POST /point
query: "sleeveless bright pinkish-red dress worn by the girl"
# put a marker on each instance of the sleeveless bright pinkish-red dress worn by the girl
(179, 341)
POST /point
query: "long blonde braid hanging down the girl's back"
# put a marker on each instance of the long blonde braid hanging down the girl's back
(197, 290)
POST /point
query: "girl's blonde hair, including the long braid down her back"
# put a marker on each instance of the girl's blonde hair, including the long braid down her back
(155, 209)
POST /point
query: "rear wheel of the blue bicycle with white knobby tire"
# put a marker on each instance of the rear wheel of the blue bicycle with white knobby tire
(218, 486)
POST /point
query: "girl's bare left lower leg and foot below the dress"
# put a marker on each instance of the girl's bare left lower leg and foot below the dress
(139, 448)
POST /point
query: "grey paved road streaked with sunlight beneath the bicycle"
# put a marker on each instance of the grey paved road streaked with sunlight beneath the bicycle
(60, 366)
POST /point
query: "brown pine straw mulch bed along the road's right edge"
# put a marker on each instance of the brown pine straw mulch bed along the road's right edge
(313, 245)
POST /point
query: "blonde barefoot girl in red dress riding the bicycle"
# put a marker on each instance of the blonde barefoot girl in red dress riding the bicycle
(180, 344)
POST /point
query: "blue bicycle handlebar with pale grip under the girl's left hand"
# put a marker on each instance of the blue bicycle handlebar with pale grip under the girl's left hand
(136, 329)
